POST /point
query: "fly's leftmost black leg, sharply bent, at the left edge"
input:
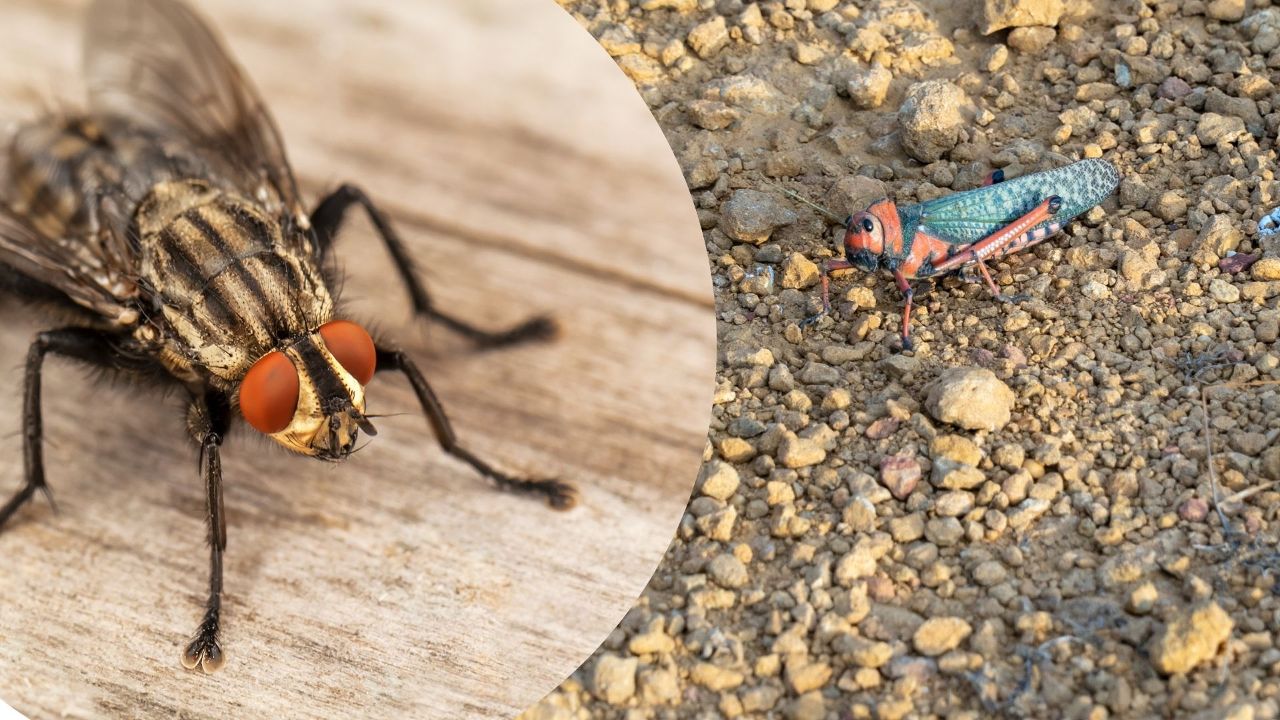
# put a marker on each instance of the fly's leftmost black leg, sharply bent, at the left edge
(95, 348)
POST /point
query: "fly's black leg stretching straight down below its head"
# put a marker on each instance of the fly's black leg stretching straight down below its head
(209, 420)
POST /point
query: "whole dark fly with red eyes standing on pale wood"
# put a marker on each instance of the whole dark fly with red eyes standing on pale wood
(167, 221)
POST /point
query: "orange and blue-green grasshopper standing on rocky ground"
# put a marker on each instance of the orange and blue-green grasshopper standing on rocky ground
(968, 229)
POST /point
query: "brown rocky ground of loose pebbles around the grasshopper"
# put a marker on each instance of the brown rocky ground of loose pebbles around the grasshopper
(1064, 508)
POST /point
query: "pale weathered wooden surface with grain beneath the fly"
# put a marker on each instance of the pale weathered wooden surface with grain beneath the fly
(527, 176)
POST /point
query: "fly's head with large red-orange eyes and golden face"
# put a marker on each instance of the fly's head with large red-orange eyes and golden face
(310, 397)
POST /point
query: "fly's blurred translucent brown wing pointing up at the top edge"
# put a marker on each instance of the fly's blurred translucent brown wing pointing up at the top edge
(159, 66)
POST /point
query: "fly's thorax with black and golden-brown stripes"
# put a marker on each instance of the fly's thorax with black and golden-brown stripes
(228, 286)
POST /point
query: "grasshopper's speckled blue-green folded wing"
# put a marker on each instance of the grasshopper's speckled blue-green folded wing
(968, 217)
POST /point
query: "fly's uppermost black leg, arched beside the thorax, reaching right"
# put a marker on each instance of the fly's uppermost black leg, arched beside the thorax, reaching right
(328, 218)
